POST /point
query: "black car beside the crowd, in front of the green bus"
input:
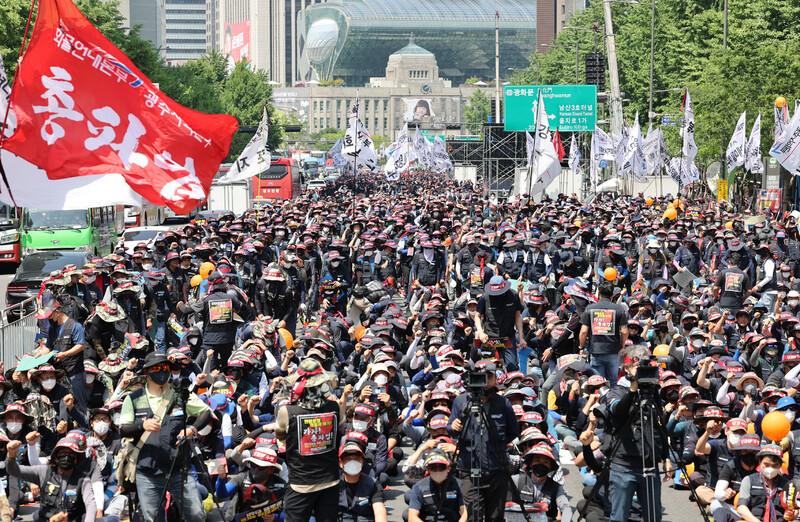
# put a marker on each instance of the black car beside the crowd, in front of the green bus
(33, 271)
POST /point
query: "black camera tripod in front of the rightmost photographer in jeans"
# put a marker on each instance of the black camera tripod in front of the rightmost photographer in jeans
(647, 409)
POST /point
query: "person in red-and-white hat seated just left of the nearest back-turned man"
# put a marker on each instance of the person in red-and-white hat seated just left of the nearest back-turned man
(261, 472)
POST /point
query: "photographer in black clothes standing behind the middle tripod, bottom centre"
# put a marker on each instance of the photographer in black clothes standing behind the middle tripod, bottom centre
(485, 446)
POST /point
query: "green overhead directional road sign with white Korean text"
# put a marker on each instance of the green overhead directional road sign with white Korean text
(571, 108)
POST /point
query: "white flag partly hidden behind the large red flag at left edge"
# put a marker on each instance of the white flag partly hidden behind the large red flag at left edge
(31, 187)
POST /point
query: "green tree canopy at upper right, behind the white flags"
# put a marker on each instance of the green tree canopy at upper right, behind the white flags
(760, 63)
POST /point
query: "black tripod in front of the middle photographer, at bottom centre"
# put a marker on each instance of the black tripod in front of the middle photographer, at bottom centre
(475, 415)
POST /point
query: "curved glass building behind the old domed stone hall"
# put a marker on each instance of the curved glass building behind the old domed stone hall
(352, 39)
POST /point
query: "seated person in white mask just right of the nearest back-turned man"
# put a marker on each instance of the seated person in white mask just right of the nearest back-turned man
(360, 495)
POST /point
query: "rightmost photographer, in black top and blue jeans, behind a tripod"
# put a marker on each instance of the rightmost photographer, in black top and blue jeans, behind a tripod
(634, 468)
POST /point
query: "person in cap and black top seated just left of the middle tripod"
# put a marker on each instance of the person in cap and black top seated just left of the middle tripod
(426, 502)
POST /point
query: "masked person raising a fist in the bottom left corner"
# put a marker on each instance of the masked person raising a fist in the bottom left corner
(65, 483)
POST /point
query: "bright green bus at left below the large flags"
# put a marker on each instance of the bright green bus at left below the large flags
(92, 230)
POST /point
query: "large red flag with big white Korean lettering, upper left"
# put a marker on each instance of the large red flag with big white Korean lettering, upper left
(83, 108)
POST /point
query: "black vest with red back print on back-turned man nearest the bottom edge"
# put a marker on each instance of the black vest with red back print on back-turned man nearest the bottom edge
(312, 441)
